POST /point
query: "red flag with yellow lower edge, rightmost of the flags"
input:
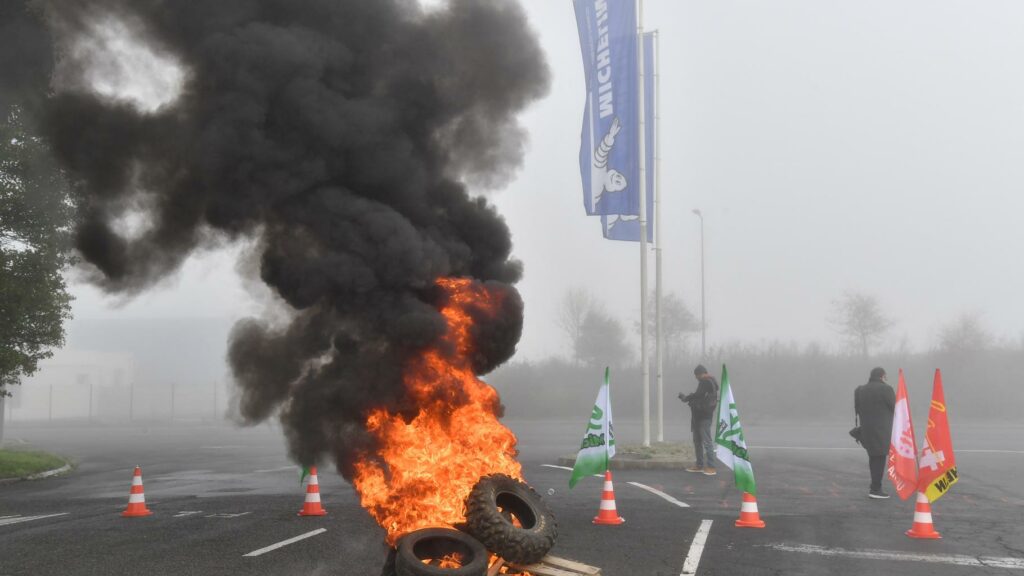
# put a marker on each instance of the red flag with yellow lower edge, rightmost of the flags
(938, 467)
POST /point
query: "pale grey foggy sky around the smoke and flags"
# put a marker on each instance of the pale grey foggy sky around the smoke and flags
(871, 147)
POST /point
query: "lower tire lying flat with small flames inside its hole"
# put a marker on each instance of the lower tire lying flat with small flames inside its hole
(436, 545)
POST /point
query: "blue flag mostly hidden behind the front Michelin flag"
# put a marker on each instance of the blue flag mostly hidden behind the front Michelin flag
(626, 227)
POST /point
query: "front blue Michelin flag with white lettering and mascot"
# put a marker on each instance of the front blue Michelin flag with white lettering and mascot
(609, 162)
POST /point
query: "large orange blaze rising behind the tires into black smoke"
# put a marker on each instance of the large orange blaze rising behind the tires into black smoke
(425, 469)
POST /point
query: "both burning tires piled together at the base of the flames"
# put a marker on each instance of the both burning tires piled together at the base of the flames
(504, 517)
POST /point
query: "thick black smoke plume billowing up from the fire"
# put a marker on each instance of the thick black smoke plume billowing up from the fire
(339, 135)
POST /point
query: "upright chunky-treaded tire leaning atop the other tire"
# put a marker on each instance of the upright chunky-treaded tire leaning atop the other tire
(510, 519)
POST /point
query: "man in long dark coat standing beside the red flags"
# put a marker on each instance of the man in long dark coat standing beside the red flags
(875, 404)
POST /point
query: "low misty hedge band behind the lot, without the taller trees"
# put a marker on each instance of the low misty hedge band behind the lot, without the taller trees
(777, 382)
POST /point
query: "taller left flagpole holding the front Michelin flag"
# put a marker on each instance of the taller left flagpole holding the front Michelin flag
(645, 361)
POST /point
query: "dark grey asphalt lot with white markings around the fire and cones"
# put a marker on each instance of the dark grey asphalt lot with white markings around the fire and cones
(219, 493)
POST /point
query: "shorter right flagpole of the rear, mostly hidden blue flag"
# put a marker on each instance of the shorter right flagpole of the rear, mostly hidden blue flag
(660, 339)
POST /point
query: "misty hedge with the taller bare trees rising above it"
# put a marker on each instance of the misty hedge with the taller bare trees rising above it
(775, 382)
